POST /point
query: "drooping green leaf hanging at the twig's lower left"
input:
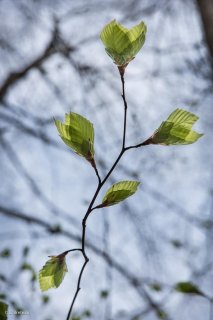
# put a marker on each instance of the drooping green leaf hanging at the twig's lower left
(52, 273)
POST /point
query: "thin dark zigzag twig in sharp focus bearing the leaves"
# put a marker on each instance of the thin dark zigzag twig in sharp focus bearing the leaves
(100, 185)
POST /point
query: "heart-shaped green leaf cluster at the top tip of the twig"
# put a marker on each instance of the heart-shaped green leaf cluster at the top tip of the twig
(122, 44)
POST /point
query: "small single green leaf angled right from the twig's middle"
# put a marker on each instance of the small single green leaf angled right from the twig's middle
(119, 192)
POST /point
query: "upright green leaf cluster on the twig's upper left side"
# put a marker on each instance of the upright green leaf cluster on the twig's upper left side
(78, 134)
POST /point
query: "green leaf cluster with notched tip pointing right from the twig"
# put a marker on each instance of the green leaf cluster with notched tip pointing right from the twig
(177, 129)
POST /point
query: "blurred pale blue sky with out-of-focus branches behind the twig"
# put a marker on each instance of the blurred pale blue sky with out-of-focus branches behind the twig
(52, 62)
